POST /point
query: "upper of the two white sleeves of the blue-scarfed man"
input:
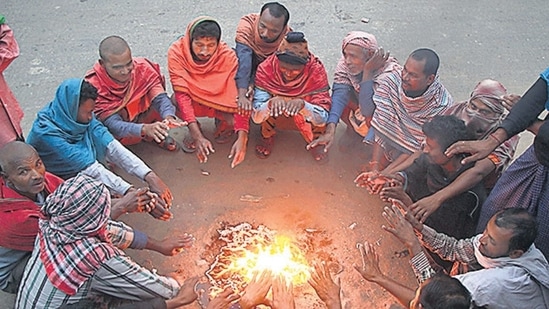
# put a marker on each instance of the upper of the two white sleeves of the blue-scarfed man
(127, 160)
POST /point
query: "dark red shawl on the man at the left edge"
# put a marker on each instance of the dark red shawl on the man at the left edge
(19, 215)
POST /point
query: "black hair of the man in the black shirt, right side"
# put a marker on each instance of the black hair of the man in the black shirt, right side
(446, 130)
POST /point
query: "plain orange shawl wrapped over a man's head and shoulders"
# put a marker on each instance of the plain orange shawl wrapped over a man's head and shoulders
(211, 83)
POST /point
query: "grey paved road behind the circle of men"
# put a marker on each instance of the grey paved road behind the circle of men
(505, 40)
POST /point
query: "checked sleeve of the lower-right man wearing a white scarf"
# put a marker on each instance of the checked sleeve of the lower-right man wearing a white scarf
(448, 248)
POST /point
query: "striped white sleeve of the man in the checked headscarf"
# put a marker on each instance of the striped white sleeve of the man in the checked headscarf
(123, 278)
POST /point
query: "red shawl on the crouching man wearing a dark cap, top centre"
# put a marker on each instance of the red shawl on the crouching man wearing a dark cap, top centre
(313, 80)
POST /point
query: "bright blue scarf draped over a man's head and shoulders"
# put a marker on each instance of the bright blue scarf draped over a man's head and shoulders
(66, 146)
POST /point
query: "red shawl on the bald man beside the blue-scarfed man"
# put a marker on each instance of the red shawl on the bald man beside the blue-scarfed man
(133, 95)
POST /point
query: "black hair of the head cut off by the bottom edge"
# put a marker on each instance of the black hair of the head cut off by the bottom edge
(444, 292)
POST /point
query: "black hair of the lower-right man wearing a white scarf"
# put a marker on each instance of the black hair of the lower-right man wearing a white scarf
(522, 223)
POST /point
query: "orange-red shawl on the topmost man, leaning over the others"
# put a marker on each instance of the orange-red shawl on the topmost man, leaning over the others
(247, 34)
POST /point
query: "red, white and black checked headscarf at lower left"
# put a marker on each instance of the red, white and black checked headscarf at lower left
(72, 237)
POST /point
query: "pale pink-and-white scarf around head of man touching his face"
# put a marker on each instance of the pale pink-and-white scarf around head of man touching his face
(367, 41)
